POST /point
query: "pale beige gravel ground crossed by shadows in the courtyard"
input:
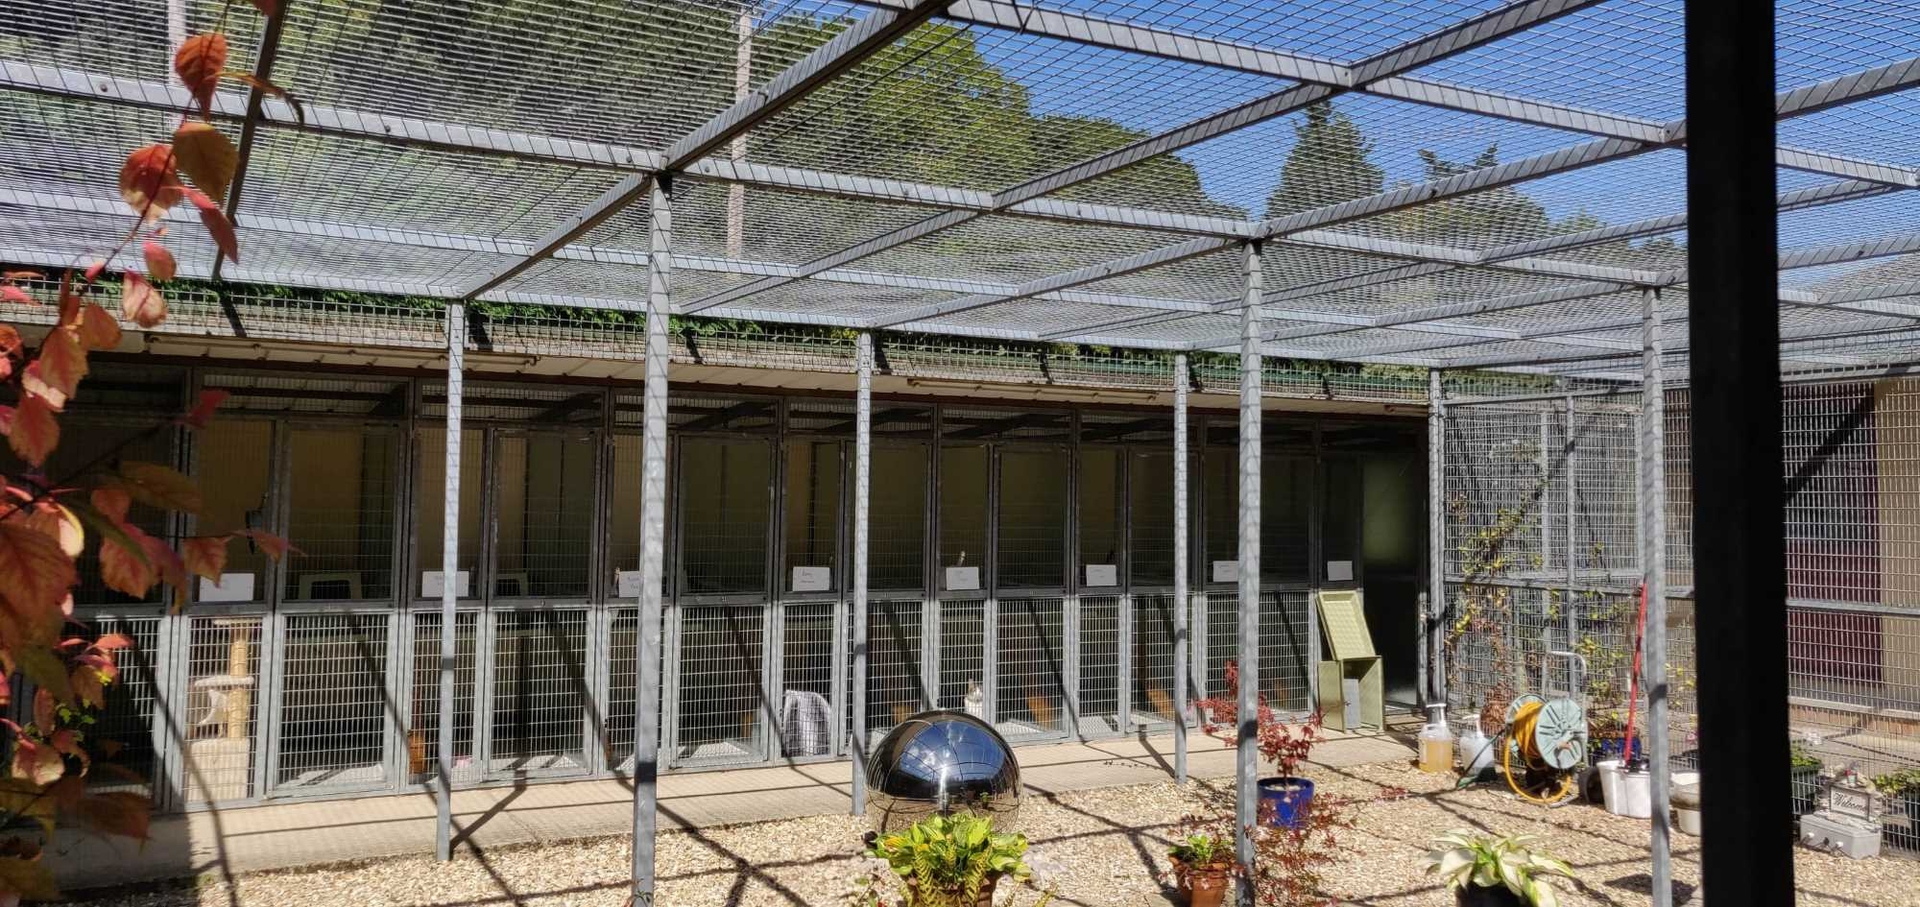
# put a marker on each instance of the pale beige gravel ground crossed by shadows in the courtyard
(1109, 846)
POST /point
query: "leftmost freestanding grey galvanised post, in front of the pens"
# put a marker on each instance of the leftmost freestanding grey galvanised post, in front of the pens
(450, 564)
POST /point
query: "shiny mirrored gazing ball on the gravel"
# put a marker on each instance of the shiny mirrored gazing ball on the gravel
(942, 762)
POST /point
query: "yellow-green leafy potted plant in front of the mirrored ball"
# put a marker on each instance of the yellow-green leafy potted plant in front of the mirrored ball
(951, 862)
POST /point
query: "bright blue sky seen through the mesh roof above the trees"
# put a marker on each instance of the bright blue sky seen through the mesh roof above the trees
(1625, 59)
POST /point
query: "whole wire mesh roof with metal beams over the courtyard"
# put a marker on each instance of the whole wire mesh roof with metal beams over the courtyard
(1445, 184)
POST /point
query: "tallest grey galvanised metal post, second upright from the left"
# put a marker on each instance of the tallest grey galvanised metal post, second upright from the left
(652, 537)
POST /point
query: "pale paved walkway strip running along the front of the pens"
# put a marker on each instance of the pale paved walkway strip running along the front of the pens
(299, 835)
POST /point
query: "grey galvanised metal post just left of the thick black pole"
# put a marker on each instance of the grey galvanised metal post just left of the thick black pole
(1654, 576)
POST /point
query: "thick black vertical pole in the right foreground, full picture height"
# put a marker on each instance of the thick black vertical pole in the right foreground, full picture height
(1739, 554)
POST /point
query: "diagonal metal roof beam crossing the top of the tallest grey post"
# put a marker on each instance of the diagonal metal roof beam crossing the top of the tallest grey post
(846, 51)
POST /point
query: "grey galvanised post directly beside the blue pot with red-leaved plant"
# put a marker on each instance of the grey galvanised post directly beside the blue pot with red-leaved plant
(1247, 756)
